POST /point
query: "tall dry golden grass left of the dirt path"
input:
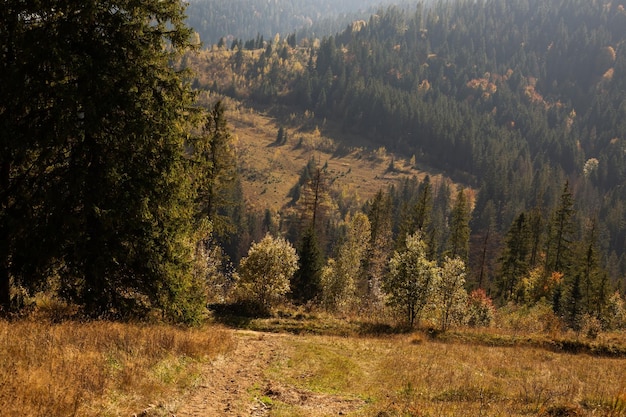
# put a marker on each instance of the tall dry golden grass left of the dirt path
(100, 368)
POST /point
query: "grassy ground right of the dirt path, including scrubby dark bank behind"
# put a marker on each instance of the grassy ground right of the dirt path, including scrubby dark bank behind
(380, 370)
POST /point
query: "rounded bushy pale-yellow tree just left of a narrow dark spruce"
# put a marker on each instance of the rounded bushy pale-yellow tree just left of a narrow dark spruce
(266, 272)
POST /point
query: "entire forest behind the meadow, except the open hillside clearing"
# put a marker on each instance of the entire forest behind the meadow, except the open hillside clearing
(121, 192)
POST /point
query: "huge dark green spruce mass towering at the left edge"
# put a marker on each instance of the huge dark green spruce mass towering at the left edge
(96, 187)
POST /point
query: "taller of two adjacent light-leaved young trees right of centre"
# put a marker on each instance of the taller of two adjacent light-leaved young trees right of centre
(412, 277)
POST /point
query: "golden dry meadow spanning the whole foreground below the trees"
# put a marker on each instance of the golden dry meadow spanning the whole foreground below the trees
(316, 366)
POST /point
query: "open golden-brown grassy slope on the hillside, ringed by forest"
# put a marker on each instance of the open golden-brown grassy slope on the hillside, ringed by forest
(270, 171)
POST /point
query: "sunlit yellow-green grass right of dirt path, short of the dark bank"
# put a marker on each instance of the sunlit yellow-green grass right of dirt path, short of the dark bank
(411, 375)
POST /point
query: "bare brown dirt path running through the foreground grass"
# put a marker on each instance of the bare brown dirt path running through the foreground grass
(240, 383)
